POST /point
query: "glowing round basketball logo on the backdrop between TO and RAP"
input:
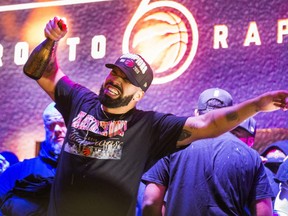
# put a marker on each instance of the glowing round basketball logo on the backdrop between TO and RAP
(165, 33)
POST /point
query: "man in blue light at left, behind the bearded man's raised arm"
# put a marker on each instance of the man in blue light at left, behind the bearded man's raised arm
(25, 186)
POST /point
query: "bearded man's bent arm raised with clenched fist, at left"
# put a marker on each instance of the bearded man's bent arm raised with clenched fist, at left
(43, 59)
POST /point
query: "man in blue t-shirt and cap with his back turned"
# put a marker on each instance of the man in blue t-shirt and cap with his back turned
(219, 176)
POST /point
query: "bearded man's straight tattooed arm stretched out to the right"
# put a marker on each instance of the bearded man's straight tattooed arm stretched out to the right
(217, 122)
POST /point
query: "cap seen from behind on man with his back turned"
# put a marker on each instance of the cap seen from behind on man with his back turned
(214, 93)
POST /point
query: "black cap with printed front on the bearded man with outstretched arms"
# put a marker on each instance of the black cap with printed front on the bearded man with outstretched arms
(137, 70)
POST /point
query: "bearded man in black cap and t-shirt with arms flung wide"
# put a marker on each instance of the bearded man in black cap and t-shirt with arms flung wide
(110, 143)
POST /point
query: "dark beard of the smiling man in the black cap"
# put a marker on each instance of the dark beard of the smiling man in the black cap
(113, 103)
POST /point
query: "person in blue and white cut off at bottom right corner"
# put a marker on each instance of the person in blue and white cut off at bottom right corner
(281, 201)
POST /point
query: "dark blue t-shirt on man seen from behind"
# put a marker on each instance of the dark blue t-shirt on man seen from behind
(217, 176)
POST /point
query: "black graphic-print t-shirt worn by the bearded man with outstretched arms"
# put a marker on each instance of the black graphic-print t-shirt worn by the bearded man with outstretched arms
(103, 159)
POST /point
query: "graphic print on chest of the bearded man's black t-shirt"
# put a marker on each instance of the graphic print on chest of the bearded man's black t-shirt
(93, 138)
